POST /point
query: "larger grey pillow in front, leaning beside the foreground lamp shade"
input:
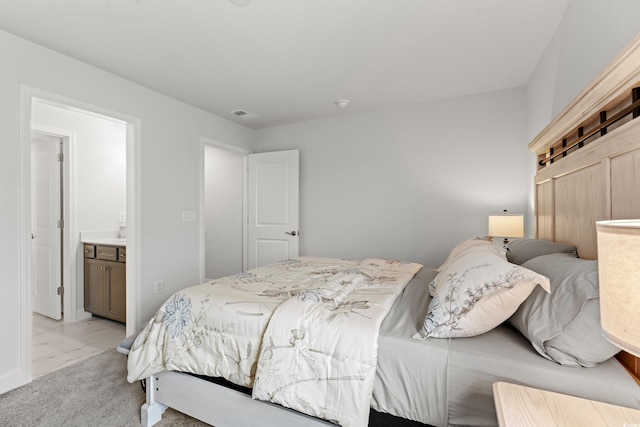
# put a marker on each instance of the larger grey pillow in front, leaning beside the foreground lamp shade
(564, 325)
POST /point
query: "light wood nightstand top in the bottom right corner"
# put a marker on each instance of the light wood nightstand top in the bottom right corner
(520, 406)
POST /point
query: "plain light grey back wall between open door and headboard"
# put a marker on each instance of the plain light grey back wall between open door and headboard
(407, 183)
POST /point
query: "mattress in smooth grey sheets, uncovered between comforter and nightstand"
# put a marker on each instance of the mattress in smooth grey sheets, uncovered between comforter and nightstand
(449, 381)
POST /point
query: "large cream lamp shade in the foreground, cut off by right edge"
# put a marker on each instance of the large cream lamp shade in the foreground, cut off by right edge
(619, 279)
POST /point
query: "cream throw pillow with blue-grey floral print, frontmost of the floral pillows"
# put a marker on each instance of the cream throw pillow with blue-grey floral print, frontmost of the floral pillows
(475, 293)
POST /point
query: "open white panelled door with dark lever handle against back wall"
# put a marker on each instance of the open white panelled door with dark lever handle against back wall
(273, 232)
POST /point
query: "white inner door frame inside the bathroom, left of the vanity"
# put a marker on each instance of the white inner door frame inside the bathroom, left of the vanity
(69, 235)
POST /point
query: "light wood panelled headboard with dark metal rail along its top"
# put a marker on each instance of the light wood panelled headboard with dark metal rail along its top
(589, 162)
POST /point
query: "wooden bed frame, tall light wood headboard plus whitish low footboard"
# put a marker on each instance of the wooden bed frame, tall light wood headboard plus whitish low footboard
(574, 187)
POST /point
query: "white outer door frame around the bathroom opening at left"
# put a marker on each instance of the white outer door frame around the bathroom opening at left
(27, 95)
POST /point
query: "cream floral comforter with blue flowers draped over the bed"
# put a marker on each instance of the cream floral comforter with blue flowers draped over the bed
(302, 333)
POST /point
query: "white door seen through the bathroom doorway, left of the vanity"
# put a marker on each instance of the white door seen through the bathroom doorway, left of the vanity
(46, 217)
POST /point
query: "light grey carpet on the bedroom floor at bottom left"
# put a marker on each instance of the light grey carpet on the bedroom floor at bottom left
(93, 392)
